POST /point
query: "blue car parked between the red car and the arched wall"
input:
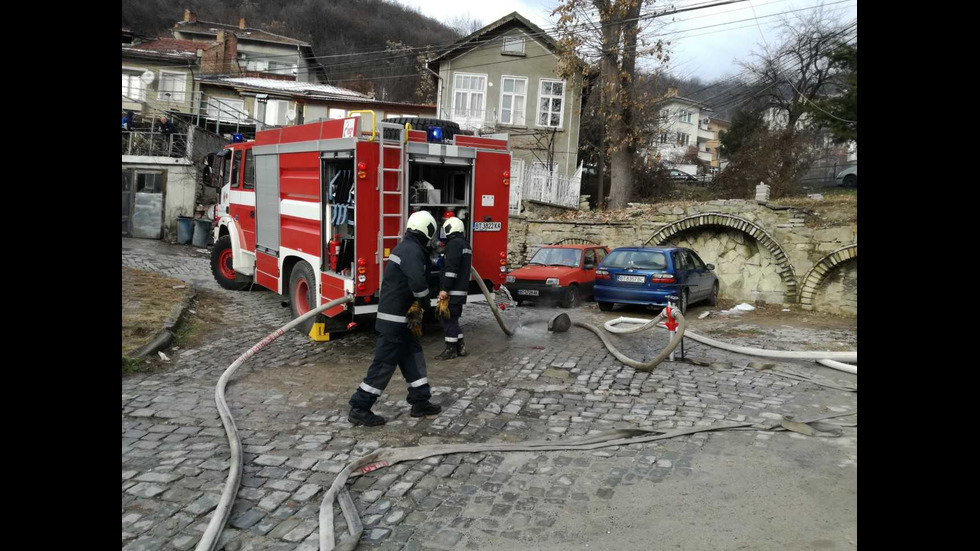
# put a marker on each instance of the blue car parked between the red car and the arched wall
(648, 275)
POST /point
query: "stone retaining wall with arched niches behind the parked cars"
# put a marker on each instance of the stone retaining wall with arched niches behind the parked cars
(775, 254)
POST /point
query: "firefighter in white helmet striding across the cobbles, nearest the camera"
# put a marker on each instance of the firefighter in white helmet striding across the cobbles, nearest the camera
(404, 283)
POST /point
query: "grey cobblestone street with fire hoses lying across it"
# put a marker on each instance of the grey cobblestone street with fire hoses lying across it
(726, 490)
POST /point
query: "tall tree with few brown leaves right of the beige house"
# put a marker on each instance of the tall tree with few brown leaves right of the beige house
(606, 37)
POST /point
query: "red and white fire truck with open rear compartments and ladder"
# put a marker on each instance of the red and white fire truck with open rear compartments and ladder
(313, 211)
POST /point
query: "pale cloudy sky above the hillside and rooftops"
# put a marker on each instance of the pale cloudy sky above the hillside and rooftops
(708, 53)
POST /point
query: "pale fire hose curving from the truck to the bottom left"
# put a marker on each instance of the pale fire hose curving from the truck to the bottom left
(221, 513)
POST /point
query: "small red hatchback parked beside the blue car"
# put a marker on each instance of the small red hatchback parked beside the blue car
(562, 272)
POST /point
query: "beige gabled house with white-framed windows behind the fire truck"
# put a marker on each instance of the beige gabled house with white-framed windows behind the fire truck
(502, 79)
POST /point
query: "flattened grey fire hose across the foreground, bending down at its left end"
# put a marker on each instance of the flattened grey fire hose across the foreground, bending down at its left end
(385, 457)
